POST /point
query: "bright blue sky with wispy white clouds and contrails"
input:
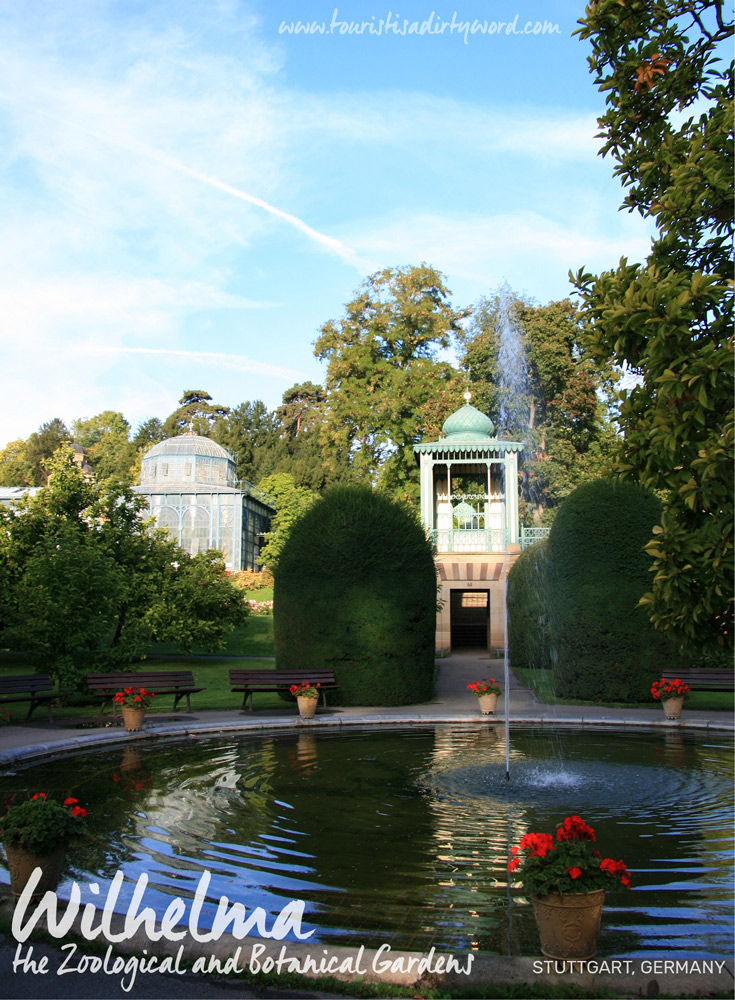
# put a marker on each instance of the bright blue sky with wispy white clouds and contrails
(191, 188)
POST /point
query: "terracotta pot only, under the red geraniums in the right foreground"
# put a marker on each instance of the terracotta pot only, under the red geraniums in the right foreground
(568, 923)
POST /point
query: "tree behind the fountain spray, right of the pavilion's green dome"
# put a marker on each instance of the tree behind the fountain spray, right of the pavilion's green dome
(552, 401)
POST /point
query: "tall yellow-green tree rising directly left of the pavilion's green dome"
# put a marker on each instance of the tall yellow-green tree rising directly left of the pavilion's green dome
(385, 382)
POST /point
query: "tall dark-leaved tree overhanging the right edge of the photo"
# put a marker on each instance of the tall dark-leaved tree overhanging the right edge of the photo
(668, 126)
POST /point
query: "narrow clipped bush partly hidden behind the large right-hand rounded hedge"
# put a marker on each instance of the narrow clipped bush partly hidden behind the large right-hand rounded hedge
(528, 625)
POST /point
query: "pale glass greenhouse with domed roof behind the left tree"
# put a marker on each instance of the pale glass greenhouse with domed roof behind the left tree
(193, 492)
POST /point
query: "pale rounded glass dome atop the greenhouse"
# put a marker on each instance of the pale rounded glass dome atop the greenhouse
(188, 458)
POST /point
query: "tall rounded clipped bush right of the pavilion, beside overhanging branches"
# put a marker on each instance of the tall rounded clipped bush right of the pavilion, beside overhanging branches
(604, 648)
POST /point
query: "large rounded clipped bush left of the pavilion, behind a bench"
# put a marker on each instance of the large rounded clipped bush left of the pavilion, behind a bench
(355, 591)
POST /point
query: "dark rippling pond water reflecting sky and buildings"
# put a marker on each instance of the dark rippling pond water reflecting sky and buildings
(402, 835)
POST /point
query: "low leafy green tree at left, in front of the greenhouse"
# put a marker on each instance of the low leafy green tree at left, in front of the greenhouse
(84, 585)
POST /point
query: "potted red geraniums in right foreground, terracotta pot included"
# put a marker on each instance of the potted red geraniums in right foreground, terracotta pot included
(566, 879)
